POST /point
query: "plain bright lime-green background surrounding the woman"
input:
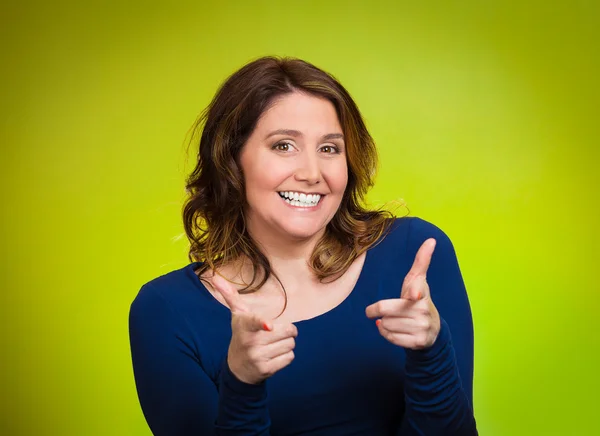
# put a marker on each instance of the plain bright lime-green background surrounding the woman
(486, 117)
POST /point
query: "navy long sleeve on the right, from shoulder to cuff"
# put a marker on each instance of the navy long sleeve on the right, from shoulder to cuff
(438, 383)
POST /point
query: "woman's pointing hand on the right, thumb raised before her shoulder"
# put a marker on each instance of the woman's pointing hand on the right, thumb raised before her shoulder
(411, 321)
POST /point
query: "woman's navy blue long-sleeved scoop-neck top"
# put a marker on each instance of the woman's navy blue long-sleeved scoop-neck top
(346, 379)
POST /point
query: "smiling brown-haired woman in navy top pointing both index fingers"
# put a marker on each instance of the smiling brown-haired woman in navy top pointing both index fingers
(303, 313)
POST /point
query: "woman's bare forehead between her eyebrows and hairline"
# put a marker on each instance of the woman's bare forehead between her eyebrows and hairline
(302, 112)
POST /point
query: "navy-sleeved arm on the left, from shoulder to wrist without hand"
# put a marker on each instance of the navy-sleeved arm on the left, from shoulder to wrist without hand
(177, 397)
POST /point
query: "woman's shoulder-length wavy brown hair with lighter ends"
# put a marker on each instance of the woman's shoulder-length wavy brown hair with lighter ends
(213, 213)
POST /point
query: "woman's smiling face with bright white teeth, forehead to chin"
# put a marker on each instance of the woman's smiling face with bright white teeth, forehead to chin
(295, 170)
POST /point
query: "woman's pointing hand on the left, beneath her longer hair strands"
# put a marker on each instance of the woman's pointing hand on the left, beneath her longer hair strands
(258, 348)
